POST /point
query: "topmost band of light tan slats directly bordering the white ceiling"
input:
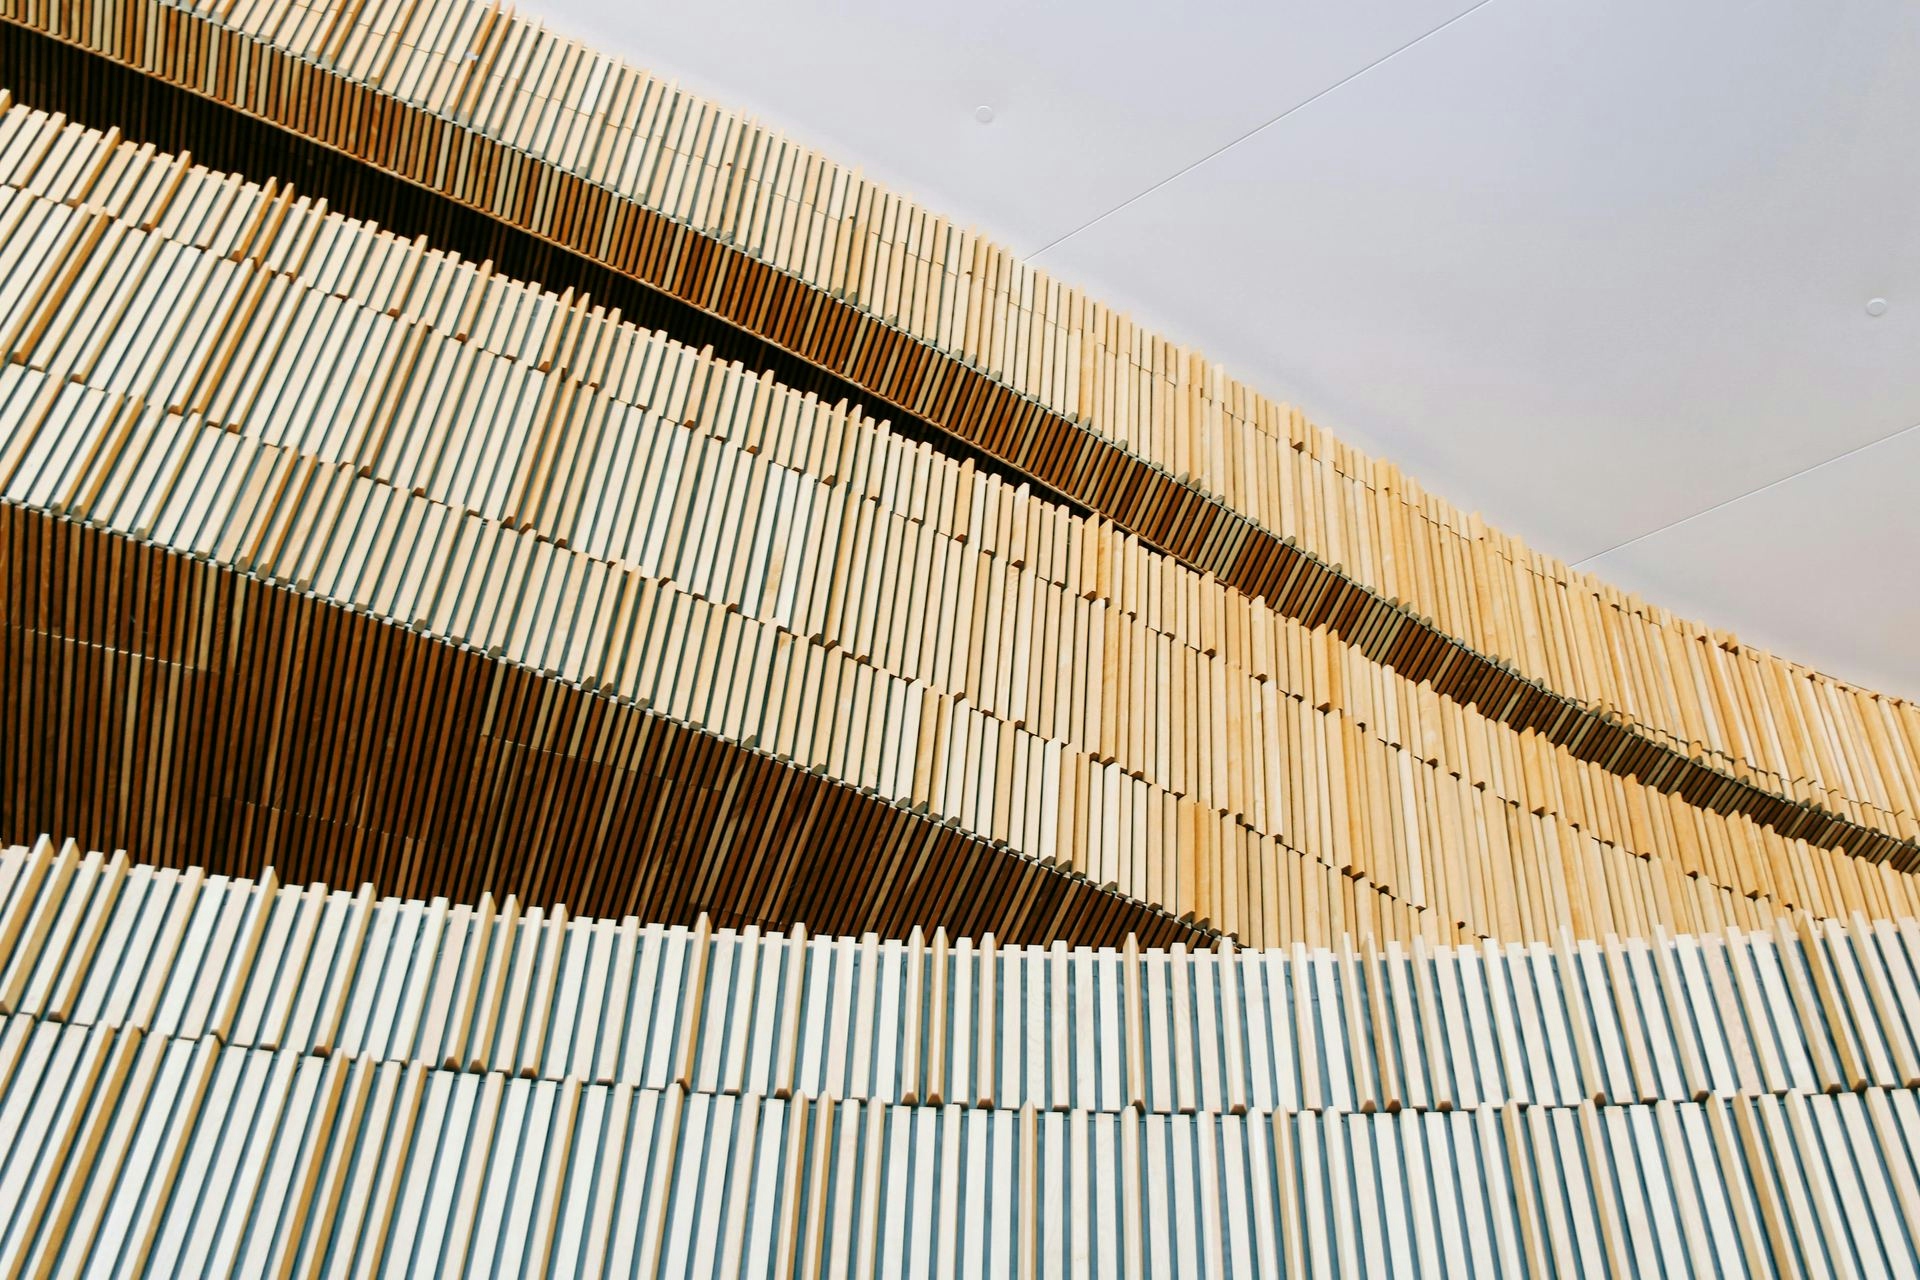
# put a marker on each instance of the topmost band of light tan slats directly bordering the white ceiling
(573, 110)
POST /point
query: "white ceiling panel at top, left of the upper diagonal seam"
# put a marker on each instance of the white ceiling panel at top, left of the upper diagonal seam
(1092, 103)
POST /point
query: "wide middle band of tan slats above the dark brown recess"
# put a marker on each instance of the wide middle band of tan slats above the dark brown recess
(291, 369)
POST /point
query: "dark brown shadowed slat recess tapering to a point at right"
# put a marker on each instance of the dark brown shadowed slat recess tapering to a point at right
(199, 717)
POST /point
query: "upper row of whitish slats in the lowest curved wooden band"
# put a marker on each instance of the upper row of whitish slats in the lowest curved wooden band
(494, 987)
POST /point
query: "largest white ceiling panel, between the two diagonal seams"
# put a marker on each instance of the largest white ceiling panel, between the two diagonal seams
(1583, 268)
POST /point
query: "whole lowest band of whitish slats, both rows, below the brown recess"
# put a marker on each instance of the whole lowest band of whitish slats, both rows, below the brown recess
(308, 1081)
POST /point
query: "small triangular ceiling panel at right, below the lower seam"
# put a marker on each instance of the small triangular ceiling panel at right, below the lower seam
(1825, 567)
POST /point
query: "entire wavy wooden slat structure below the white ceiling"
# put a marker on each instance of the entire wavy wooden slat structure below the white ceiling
(1032, 803)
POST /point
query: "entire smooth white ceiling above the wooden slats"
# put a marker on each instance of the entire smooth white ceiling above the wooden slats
(1598, 272)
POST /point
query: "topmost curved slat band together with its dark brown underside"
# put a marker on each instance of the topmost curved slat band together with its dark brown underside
(627, 141)
